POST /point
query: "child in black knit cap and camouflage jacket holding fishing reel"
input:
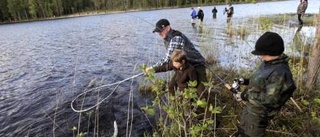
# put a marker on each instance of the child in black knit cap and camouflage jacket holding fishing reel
(268, 89)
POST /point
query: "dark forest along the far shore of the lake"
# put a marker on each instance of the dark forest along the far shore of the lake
(24, 10)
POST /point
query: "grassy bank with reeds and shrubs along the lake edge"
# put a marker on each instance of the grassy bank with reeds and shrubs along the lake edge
(178, 119)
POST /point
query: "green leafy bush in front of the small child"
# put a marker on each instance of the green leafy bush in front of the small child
(181, 114)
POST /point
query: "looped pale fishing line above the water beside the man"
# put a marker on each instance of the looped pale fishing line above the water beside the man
(107, 85)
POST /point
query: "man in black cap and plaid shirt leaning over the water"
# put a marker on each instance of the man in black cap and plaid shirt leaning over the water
(174, 39)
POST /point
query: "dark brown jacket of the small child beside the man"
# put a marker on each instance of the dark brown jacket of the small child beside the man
(180, 78)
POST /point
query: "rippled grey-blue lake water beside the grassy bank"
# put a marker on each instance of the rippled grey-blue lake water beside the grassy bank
(45, 64)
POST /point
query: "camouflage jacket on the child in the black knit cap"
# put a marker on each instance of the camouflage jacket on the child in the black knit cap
(269, 88)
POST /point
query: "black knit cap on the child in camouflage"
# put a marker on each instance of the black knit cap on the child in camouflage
(269, 43)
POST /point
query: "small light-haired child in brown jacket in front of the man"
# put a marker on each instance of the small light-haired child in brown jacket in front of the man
(184, 71)
